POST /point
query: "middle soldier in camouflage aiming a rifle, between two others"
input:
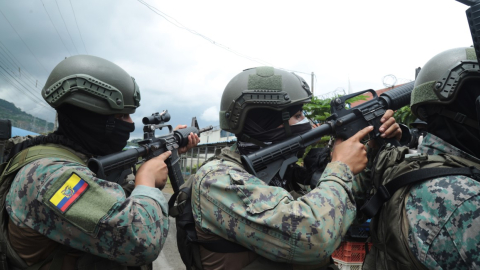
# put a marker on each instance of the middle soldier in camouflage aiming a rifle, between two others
(263, 106)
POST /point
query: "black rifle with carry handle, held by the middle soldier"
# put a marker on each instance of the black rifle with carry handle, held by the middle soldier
(343, 122)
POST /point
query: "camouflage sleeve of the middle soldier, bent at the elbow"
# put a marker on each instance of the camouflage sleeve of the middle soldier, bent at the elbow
(237, 206)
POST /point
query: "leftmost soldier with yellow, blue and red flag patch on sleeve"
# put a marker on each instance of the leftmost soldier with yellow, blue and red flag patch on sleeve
(57, 213)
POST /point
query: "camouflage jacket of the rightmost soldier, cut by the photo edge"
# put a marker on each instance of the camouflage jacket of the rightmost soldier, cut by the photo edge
(444, 215)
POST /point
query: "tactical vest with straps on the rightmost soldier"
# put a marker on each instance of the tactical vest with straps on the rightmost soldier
(389, 227)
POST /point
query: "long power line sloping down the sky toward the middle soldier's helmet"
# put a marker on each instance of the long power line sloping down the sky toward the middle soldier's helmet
(181, 26)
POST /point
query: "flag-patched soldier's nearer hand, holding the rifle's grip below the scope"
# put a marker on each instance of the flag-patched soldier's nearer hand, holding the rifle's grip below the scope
(154, 172)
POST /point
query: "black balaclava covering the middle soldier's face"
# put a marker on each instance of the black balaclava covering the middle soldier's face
(263, 125)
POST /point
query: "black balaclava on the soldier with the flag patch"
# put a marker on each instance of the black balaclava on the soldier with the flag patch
(89, 130)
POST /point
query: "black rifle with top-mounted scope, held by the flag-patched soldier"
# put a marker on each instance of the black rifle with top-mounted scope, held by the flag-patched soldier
(116, 167)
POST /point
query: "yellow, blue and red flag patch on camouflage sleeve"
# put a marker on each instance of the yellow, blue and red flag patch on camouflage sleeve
(67, 194)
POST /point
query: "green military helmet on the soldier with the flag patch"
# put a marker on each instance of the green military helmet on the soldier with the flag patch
(92, 83)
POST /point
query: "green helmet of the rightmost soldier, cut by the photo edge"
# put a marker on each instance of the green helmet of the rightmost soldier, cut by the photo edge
(439, 81)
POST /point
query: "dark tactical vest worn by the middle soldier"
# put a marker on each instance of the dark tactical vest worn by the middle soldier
(188, 243)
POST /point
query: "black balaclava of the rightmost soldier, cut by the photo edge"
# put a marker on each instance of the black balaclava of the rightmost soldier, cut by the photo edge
(461, 136)
